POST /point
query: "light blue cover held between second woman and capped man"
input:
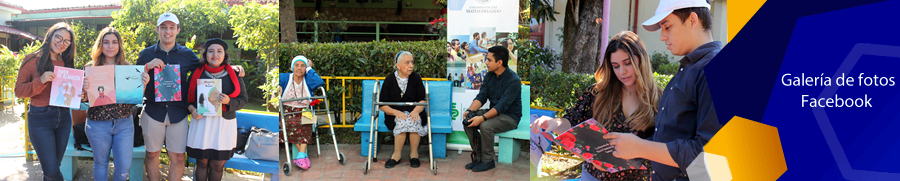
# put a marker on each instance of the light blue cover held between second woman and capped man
(129, 87)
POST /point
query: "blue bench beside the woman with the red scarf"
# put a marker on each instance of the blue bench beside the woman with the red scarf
(247, 120)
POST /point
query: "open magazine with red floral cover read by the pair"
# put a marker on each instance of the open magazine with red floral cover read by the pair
(586, 141)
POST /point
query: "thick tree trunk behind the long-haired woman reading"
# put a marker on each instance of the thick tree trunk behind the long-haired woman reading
(581, 51)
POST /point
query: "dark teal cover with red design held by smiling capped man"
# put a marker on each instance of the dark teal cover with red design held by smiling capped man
(168, 83)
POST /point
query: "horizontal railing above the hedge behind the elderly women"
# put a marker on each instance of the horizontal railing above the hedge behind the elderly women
(377, 33)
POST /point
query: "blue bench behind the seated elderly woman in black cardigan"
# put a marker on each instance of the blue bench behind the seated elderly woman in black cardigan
(440, 117)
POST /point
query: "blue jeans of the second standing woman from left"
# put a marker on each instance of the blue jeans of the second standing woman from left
(116, 135)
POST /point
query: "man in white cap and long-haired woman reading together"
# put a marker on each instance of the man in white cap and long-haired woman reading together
(667, 127)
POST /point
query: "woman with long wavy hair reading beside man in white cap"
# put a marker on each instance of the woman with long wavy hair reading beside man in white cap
(624, 99)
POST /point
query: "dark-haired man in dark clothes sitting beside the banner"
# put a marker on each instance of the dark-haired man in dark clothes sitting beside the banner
(503, 88)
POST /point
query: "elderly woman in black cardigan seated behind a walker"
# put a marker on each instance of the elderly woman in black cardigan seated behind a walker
(404, 85)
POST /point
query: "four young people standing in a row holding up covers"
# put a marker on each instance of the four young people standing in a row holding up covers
(109, 128)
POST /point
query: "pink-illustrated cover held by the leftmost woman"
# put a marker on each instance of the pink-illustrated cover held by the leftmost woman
(65, 91)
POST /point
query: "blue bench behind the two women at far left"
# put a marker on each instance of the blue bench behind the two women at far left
(70, 160)
